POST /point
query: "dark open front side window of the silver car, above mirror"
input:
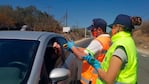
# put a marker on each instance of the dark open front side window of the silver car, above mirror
(52, 59)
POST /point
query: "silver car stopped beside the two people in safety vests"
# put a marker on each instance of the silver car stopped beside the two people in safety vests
(27, 57)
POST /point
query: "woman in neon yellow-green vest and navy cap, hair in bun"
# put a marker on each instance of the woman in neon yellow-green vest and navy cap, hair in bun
(120, 64)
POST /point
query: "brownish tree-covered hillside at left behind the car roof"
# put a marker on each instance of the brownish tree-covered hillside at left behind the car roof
(14, 18)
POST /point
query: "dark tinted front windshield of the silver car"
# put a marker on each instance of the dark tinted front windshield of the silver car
(15, 59)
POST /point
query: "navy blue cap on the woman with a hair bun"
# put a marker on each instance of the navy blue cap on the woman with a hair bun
(124, 20)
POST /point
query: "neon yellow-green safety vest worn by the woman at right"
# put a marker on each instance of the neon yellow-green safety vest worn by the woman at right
(127, 75)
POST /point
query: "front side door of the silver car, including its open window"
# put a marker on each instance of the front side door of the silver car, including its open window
(64, 60)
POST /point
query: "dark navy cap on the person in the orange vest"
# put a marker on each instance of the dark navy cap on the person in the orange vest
(98, 22)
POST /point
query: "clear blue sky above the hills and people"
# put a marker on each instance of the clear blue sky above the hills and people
(81, 12)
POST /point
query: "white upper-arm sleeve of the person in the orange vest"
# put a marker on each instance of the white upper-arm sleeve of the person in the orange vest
(93, 47)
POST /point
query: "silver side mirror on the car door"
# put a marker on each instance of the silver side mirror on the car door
(59, 74)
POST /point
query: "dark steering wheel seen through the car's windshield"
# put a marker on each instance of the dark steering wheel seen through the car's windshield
(18, 64)
